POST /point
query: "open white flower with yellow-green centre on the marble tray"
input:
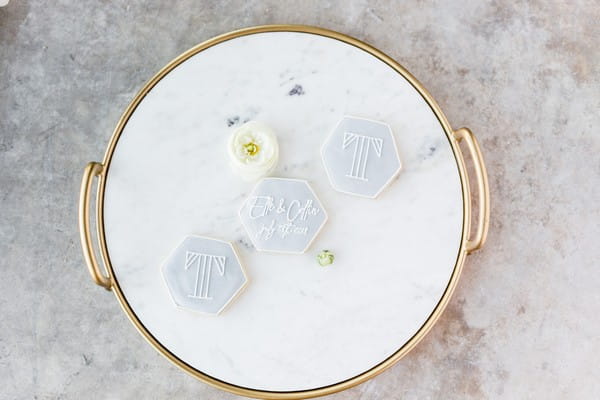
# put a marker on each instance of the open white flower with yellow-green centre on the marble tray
(253, 150)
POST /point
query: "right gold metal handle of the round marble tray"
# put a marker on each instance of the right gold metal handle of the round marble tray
(483, 190)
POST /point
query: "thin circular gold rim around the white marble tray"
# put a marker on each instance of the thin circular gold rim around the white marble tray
(397, 355)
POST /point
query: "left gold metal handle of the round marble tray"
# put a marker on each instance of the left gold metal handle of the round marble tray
(91, 171)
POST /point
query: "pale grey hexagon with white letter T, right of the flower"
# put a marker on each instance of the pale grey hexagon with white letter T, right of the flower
(360, 157)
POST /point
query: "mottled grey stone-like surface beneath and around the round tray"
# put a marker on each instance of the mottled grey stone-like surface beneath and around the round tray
(524, 75)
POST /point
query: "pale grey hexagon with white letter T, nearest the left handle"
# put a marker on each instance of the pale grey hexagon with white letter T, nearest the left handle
(204, 274)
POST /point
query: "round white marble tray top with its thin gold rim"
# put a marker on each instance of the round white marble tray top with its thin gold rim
(298, 327)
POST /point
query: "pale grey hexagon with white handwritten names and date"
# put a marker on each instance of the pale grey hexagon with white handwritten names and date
(282, 215)
